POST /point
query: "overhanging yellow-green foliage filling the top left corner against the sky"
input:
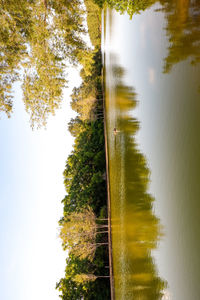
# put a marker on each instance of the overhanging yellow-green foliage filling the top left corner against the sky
(38, 36)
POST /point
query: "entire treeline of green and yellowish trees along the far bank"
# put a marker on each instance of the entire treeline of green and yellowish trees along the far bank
(84, 226)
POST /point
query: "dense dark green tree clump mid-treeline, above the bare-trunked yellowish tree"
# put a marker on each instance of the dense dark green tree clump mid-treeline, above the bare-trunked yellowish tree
(83, 175)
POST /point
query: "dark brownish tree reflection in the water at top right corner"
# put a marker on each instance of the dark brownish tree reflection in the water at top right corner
(183, 30)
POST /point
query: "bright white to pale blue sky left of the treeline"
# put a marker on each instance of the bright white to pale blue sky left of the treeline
(31, 190)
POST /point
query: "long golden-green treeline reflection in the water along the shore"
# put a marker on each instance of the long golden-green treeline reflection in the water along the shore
(136, 229)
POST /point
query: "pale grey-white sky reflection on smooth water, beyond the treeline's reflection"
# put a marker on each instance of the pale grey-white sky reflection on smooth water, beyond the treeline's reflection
(168, 112)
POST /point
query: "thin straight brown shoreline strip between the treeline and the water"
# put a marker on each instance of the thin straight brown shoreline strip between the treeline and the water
(112, 291)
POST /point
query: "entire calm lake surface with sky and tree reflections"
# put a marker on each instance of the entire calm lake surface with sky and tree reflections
(152, 75)
